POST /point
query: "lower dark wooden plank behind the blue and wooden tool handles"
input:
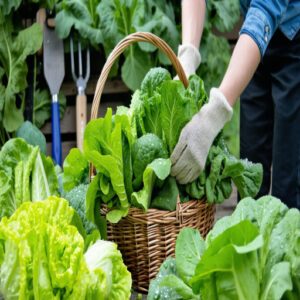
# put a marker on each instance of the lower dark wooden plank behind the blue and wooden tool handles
(68, 123)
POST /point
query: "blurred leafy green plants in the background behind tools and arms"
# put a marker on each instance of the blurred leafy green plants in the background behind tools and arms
(101, 24)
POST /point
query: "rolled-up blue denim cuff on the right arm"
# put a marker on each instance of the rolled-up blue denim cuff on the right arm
(258, 27)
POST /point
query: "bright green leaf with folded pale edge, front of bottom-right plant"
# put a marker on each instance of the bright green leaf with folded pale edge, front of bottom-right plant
(233, 252)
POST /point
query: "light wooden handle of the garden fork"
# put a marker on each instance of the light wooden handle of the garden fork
(80, 119)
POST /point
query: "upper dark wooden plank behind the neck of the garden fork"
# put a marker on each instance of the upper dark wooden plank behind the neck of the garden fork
(111, 87)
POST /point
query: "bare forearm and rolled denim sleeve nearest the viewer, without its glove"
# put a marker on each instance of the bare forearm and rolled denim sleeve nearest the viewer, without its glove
(260, 24)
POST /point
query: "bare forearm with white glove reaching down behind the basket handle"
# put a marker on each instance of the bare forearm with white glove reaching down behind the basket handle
(193, 17)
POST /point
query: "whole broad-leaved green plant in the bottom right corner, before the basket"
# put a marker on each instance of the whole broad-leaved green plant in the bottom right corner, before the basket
(252, 254)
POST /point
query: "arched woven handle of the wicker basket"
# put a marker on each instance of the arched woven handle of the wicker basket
(120, 47)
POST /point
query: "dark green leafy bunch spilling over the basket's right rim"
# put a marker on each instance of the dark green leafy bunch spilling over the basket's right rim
(221, 169)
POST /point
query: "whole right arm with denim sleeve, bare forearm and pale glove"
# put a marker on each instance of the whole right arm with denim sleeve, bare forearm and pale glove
(190, 154)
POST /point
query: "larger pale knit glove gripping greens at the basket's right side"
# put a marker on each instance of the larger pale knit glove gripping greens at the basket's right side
(190, 154)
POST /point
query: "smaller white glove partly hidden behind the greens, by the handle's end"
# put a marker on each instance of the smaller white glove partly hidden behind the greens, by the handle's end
(189, 57)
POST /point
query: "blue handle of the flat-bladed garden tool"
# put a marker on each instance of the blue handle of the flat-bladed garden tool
(56, 140)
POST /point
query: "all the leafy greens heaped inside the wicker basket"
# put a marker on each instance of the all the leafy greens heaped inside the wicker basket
(130, 153)
